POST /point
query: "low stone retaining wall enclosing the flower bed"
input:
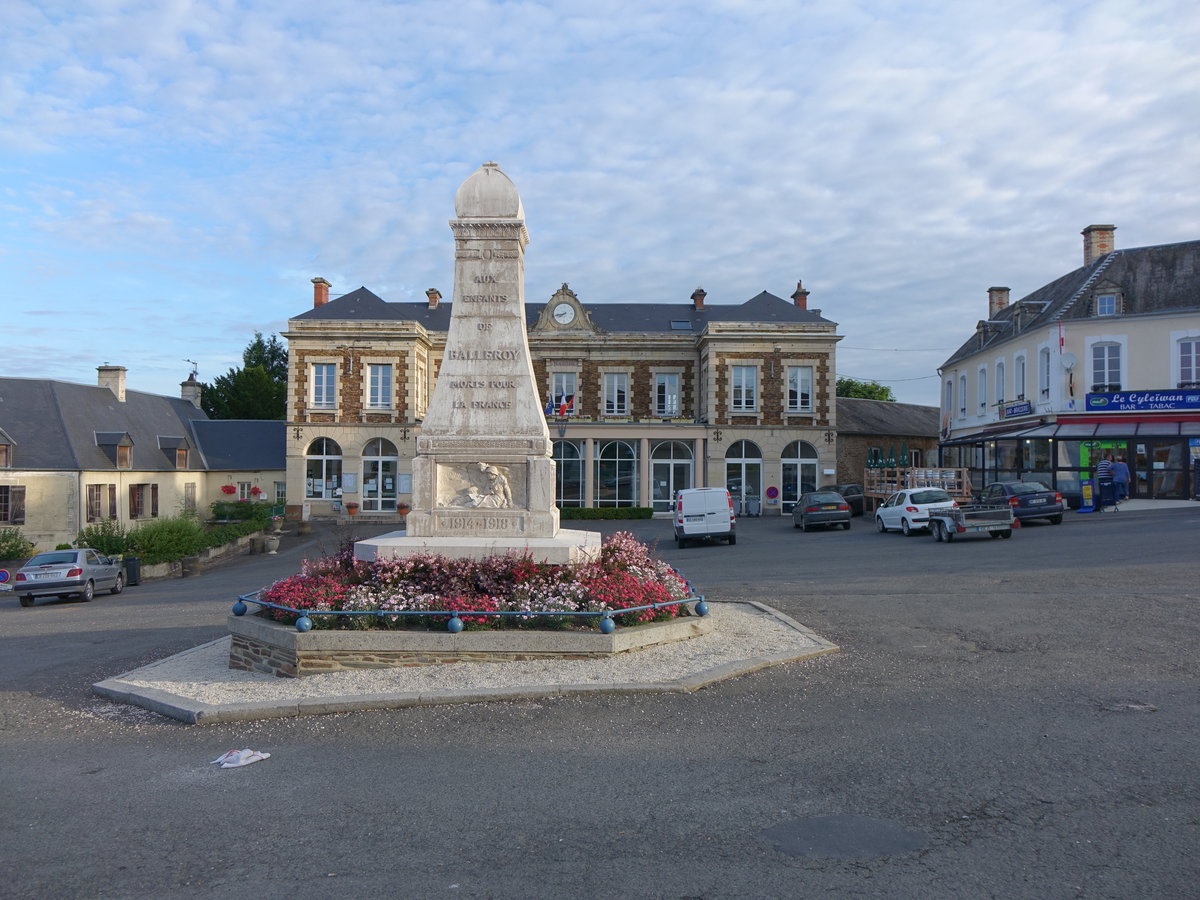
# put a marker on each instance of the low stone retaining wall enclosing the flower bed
(261, 645)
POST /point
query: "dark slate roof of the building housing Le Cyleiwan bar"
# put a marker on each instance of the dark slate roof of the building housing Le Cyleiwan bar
(1151, 280)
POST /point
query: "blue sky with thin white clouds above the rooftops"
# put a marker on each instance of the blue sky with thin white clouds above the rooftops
(173, 173)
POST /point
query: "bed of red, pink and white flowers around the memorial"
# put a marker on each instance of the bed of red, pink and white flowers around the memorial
(625, 577)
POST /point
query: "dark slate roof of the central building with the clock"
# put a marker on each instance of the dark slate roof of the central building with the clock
(643, 319)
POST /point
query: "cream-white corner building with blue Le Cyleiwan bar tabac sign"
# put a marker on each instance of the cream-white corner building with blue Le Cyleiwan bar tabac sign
(1105, 359)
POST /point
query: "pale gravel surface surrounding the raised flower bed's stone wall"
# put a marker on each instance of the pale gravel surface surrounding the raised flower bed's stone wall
(745, 633)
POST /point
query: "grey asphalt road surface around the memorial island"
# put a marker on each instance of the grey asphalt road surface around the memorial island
(1010, 719)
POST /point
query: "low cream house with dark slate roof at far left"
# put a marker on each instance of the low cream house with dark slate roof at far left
(73, 455)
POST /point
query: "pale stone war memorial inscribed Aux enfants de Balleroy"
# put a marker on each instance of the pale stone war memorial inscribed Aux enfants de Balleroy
(484, 475)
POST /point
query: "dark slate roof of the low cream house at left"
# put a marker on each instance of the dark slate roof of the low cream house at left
(62, 427)
